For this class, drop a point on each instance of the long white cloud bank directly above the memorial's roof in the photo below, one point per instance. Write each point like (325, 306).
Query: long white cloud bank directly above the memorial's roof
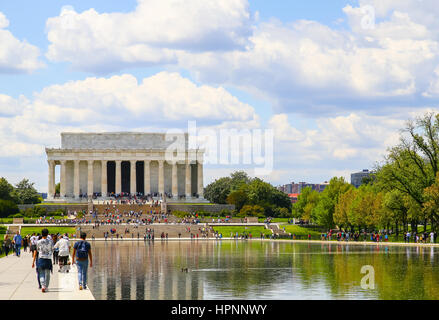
(118, 103)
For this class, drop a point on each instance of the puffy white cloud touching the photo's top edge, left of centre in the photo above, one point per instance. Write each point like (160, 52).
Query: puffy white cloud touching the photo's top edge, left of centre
(151, 34)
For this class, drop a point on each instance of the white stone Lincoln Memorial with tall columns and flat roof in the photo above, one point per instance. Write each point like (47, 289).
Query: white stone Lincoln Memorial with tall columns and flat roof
(103, 164)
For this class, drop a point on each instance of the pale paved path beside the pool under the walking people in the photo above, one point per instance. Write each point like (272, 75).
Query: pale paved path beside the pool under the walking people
(18, 281)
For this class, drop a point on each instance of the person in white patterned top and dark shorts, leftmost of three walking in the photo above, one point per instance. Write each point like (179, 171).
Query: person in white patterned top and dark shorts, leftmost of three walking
(44, 263)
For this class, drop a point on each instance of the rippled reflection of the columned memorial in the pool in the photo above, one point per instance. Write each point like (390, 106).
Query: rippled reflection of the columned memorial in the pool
(145, 271)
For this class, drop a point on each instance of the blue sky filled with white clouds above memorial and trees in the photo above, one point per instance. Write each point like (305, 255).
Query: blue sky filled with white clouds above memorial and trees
(335, 80)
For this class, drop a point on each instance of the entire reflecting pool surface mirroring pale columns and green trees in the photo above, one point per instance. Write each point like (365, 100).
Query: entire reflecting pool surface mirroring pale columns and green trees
(259, 270)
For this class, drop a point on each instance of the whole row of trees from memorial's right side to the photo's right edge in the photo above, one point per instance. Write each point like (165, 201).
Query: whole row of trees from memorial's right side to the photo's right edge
(400, 194)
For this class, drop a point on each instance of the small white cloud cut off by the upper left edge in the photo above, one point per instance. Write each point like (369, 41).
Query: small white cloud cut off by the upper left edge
(16, 56)
